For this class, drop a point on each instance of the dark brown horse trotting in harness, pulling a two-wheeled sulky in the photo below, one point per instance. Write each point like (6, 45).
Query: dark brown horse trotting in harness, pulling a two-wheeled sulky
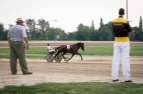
(73, 50)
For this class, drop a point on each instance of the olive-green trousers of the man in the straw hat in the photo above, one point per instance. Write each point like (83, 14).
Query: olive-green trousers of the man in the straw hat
(17, 51)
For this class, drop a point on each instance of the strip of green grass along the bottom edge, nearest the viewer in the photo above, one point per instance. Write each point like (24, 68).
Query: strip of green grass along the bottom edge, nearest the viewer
(75, 88)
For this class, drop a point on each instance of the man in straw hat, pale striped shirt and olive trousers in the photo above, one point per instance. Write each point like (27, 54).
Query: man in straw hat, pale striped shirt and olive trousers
(16, 37)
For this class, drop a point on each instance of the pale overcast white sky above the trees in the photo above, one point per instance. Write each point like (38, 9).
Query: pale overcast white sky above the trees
(69, 13)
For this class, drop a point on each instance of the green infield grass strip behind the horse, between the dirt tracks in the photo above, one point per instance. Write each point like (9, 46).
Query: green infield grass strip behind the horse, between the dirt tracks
(40, 52)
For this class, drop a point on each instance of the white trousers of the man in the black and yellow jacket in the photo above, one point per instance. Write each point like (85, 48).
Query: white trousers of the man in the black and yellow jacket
(121, 52)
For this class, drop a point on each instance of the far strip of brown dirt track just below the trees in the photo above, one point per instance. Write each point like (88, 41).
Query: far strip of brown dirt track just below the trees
(58, 43)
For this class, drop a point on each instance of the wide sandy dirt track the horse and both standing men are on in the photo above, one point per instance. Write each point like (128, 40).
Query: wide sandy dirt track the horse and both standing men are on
(91, 69)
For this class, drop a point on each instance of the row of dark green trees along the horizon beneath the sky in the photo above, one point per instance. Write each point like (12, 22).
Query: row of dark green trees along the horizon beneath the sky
(42, 30)
